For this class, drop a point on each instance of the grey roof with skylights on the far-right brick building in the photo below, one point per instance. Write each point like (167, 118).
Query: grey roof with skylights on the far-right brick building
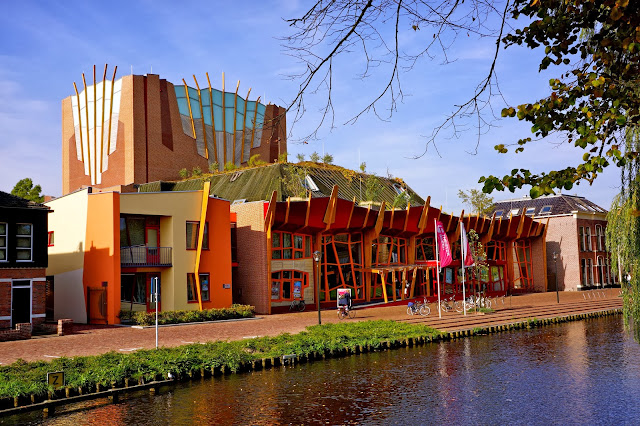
(550, 205)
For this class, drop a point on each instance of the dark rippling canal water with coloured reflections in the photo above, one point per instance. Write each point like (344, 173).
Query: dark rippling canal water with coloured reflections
(584, 372)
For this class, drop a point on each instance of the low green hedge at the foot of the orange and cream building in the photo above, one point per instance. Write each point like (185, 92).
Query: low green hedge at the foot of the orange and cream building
(178, 317)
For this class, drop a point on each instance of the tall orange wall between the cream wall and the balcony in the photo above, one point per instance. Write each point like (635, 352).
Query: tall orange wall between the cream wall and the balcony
(102, 253)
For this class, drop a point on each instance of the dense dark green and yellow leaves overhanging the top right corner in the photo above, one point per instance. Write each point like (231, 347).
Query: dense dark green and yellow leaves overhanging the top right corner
(596, 96)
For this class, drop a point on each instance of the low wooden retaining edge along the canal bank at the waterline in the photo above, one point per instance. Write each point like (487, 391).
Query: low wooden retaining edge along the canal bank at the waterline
(65, 396)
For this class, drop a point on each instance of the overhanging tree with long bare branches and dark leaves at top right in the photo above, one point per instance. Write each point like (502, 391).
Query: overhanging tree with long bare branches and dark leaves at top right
(592, 101)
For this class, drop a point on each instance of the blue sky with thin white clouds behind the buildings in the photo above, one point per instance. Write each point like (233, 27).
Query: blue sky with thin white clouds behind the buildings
(47, 45)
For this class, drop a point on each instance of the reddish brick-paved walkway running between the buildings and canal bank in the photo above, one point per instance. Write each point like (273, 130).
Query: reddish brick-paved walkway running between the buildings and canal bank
(92, 341)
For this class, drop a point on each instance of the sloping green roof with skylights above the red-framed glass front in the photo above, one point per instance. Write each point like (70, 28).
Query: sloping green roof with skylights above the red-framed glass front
(258, 183)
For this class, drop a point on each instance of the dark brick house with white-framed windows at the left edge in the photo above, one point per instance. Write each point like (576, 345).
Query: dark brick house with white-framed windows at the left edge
(23, 259)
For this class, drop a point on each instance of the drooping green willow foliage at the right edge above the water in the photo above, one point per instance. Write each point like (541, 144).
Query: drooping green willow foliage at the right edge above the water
(623, 236)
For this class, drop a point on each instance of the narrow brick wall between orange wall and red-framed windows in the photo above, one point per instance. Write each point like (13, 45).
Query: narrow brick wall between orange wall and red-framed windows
(252, 286)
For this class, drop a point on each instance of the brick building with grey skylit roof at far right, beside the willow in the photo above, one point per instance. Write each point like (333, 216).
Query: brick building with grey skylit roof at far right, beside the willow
(576, 234)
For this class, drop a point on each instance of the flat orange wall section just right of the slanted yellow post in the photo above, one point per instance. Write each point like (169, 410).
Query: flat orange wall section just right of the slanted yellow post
(217, 260)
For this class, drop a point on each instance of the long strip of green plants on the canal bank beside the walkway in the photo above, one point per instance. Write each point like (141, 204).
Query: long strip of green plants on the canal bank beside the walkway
(26, 378)
